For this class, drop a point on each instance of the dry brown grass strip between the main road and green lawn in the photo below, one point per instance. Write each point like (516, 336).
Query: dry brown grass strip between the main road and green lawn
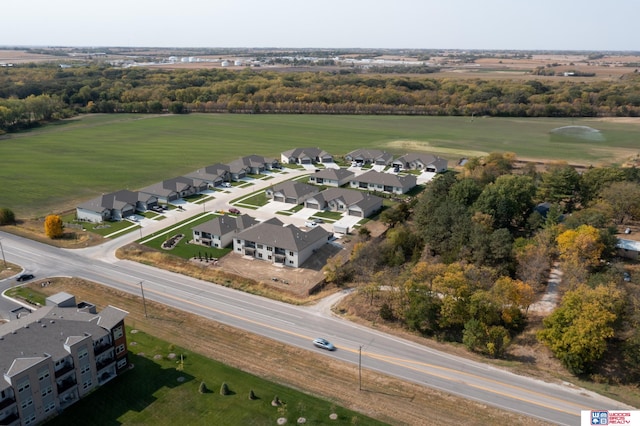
(383, 397)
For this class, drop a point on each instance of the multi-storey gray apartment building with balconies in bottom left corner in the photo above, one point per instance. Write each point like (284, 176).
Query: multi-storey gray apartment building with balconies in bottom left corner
(56, 355)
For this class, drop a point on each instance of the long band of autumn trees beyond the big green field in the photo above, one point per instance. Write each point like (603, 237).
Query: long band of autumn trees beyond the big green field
(33, 93)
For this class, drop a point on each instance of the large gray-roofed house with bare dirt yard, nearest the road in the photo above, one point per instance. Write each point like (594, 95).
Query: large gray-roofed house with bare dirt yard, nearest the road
(282, 245)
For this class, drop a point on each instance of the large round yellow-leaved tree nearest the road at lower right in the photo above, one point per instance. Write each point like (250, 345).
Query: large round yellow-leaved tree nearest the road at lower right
(577, 332)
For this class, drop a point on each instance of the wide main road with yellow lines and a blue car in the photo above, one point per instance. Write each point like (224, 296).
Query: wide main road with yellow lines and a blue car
(560, 404)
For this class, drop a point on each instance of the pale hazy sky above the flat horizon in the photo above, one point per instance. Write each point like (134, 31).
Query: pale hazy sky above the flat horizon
(408, 24)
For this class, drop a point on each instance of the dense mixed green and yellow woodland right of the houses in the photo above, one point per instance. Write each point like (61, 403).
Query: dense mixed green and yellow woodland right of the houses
(465, 260)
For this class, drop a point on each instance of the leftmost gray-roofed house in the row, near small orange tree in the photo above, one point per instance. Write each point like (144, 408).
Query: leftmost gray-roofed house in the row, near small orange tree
(114, 206)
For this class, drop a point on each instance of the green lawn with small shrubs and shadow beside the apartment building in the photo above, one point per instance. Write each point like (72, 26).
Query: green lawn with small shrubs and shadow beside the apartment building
(162, 390)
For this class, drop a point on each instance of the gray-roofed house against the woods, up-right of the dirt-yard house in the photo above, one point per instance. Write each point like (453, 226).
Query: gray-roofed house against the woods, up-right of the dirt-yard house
(354, 203)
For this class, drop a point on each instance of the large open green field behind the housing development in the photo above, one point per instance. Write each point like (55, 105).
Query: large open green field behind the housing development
(52, 169)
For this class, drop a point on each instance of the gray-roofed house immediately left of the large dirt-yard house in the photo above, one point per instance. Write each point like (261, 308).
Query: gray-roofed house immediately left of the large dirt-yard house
(219, 232)
